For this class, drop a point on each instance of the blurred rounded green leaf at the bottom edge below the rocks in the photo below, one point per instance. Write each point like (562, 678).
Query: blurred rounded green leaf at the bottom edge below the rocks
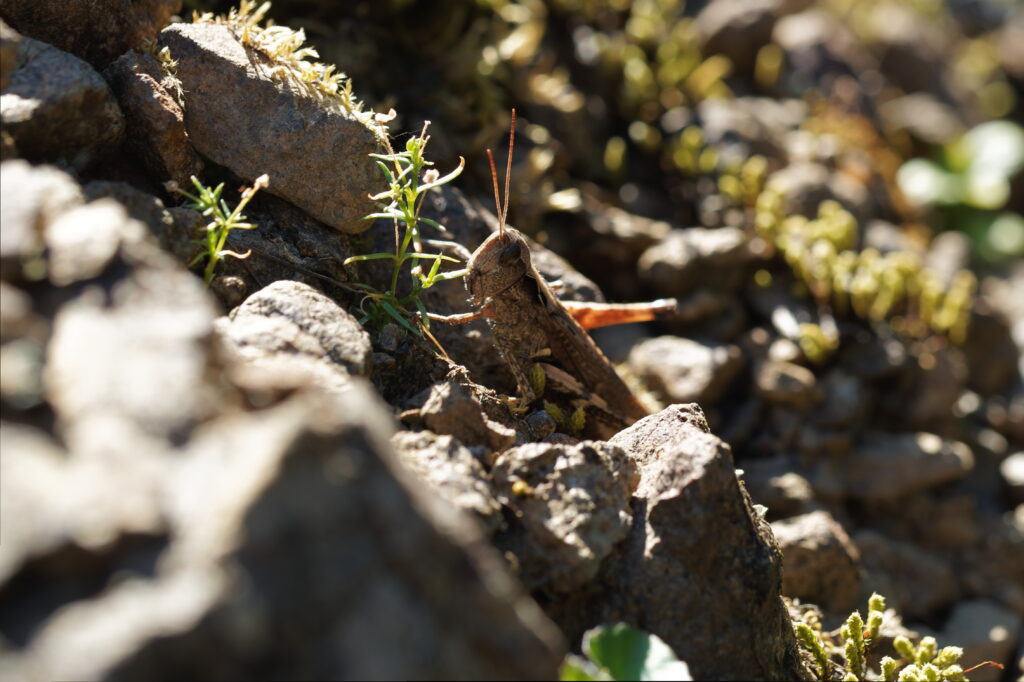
(624, 653)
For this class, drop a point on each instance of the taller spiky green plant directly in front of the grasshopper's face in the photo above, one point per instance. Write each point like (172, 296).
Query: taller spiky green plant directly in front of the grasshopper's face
(409, 177)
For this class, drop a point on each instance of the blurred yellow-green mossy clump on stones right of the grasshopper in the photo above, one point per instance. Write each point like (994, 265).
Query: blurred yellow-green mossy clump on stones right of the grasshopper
(894, 287)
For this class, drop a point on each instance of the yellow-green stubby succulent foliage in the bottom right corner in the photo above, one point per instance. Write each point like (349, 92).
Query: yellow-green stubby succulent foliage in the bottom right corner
(922, 663)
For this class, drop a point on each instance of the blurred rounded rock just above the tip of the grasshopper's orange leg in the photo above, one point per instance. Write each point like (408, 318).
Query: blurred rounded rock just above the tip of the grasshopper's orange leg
(688, 259)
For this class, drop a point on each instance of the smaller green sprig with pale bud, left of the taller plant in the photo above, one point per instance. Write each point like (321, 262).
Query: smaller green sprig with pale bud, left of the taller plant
(209, 203)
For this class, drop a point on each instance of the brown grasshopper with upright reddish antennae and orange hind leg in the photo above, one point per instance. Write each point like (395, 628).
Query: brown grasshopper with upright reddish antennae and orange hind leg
(532, 327)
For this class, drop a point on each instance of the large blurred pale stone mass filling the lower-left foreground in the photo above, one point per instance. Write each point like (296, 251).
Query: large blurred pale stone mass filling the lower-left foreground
(193, 515)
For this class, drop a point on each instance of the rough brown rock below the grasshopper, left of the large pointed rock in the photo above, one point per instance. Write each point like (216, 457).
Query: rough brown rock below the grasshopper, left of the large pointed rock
(572, 507)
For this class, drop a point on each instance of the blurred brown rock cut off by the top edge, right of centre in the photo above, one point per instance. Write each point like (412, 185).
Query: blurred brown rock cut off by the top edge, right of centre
(738, 29)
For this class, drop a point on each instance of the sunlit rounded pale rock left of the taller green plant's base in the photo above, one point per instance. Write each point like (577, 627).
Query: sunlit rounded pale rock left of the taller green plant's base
(297, 330)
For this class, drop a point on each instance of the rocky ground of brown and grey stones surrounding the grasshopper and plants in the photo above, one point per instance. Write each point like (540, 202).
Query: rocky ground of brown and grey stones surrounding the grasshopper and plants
(242, 481)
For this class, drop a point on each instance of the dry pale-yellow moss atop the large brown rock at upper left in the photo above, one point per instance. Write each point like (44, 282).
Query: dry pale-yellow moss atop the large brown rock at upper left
(290, 59)
